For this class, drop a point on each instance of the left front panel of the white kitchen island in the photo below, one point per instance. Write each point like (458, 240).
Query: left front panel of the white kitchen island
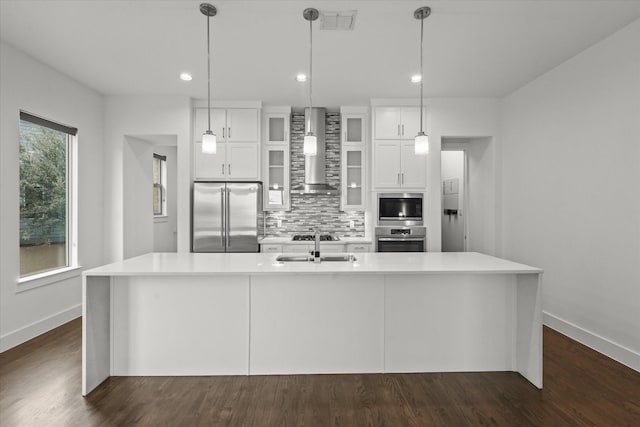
(181, 325)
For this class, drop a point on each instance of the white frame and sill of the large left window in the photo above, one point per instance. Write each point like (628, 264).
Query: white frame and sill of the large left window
(72, 268)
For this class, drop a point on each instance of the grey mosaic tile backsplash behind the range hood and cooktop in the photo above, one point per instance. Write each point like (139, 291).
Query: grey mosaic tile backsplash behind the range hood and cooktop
(309, 211)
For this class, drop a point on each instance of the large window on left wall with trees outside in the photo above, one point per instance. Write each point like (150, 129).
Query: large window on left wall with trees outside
(45, 195)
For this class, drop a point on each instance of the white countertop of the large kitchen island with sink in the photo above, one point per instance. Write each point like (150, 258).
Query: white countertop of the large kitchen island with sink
(166, 264)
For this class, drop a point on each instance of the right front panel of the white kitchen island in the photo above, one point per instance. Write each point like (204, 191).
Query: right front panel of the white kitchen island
(449, 323)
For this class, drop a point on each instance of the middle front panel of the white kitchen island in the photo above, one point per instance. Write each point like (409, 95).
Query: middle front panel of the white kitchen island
(317, 323)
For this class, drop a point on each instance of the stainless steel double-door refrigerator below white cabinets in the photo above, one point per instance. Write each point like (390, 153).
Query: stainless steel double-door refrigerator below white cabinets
(226, 216)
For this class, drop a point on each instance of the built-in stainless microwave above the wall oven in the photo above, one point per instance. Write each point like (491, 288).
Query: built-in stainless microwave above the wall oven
(400, 209)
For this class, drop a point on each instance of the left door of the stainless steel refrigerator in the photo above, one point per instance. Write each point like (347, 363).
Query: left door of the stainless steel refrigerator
(208, 219)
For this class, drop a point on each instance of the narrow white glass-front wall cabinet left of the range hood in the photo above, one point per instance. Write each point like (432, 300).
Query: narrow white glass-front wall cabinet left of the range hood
(276, 158)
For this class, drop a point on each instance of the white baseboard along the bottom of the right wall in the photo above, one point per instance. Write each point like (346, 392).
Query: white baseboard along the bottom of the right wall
(600, 344)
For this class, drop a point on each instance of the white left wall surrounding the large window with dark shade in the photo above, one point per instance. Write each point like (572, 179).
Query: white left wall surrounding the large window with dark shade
(29, 85)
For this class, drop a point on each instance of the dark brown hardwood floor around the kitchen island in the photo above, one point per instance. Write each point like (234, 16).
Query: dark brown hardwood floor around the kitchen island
(40, 386)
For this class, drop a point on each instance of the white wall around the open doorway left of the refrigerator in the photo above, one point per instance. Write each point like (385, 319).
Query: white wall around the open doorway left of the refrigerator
(144, 116)
